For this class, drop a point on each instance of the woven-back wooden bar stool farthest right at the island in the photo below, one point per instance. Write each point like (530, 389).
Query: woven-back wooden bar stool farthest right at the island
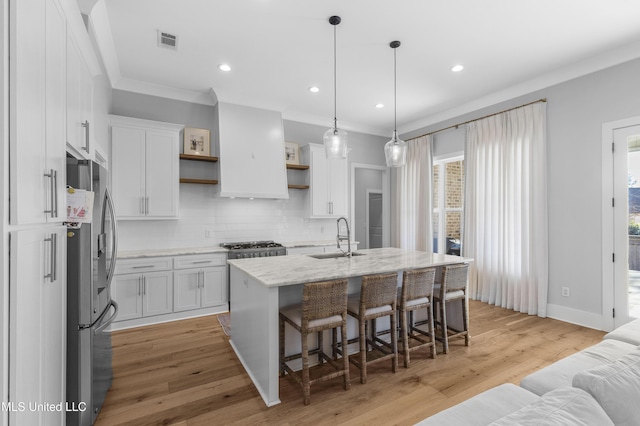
(453, 287)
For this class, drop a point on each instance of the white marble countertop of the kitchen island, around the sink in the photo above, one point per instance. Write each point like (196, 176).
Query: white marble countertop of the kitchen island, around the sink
(300, 268)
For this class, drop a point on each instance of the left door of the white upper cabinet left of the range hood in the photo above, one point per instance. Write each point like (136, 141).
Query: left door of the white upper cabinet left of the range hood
(128, 171)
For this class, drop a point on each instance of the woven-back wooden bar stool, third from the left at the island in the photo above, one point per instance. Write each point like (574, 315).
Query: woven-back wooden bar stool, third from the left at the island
(416, 293)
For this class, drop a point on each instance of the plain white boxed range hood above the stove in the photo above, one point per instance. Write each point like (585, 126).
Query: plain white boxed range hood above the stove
(250, 143)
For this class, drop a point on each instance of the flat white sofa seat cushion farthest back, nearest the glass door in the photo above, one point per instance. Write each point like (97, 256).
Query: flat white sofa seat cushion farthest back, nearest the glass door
(561, 373)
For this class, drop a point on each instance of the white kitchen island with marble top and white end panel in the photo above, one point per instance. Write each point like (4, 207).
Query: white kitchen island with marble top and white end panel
(260, 286)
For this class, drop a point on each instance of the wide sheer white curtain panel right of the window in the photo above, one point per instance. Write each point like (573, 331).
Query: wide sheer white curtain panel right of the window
(506, 226)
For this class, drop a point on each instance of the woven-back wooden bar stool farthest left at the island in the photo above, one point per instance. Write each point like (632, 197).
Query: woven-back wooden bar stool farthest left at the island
(323, 307)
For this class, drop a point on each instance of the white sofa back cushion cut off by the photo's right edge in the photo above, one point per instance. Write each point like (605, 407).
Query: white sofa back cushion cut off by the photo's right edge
(616, 387)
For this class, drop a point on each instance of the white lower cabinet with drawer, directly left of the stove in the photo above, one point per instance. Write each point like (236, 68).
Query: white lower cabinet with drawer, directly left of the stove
(203, 284)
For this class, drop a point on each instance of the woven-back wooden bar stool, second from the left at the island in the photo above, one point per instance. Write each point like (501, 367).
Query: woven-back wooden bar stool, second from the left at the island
(377, 299)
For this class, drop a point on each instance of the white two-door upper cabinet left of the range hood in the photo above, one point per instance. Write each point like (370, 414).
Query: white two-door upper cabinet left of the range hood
(145, 168)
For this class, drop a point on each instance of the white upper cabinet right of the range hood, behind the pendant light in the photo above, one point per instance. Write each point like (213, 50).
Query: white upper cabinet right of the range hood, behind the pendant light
(328, 193)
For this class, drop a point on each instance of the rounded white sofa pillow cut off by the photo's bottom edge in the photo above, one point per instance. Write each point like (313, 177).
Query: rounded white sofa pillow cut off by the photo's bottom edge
(563, 406)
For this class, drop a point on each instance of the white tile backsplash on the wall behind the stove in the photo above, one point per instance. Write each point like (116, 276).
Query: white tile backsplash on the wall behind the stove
(208, 221)
